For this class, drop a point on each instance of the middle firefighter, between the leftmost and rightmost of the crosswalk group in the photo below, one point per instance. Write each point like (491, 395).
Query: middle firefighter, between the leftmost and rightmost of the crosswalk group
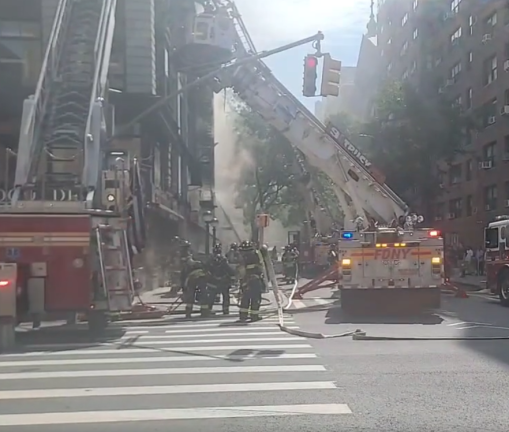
(221, 276)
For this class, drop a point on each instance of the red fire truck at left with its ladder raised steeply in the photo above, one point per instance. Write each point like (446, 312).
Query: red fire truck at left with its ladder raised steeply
(76, 219)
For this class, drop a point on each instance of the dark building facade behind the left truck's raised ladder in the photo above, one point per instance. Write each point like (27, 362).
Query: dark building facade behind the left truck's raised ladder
(175, 143)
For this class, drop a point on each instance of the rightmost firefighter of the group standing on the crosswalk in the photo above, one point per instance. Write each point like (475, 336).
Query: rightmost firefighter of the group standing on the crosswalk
(251, 281)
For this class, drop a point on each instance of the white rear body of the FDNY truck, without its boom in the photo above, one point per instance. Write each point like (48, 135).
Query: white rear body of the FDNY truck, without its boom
(391, 265)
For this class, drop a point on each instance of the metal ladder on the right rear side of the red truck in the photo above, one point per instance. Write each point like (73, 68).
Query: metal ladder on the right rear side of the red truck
(115, 267)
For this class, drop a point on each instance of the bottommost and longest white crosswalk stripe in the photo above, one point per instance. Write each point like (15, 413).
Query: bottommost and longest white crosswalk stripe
(90, 417)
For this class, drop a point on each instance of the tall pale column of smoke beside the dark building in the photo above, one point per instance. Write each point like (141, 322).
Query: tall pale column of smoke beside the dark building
(228, 167)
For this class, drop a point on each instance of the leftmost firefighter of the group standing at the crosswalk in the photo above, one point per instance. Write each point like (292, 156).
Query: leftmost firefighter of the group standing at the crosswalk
(194, 281)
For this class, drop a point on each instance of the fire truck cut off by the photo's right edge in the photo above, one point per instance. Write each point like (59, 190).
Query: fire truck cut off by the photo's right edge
(497, 258)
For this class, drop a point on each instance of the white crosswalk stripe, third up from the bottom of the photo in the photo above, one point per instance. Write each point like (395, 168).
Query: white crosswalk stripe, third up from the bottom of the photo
(160, 371)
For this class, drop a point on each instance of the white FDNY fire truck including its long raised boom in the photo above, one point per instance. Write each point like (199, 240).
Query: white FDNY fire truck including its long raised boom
(400, 262)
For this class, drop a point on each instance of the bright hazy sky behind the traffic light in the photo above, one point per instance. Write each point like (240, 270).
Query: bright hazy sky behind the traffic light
(273, 23)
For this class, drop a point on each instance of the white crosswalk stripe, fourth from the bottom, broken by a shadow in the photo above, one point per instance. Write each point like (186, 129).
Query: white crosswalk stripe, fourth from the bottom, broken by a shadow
(121, 350)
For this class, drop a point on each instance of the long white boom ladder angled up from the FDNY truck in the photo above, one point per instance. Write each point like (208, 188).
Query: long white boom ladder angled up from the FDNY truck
(361, 196)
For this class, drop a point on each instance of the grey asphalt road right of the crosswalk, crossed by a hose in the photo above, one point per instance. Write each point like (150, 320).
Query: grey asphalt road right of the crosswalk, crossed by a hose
(422, 385)
